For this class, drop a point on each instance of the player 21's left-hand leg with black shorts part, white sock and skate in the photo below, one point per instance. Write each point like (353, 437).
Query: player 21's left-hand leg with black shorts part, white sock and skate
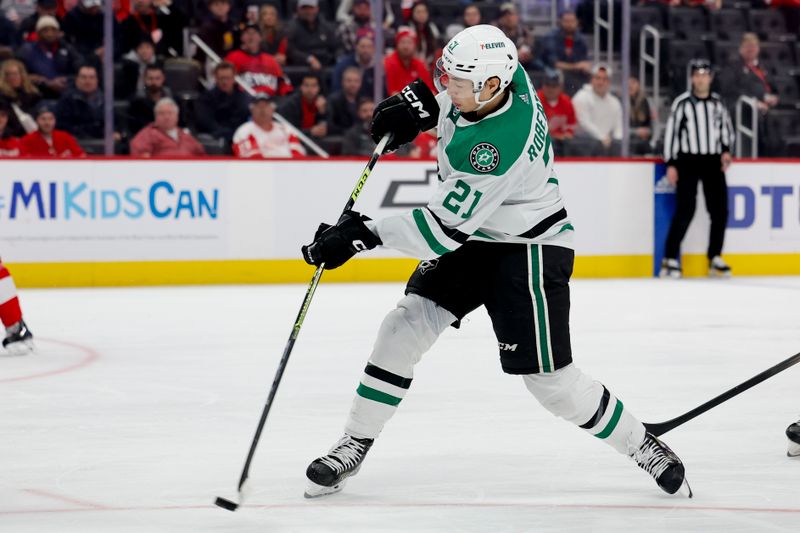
(406, 333)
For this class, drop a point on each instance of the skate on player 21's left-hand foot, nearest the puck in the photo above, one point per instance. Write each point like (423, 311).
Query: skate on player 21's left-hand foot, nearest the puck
(329, 473)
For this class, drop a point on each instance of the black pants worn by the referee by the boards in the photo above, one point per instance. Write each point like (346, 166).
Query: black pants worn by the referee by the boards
(708, 170)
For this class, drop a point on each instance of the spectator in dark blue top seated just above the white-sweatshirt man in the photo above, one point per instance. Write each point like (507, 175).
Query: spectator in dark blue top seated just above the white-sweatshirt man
(566, 49)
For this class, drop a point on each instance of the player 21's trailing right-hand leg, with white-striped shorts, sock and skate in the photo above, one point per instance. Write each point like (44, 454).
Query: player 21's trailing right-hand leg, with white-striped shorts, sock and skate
(534, 341)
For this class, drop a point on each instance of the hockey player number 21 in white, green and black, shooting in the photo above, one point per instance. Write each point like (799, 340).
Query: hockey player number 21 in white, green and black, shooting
(495, 233)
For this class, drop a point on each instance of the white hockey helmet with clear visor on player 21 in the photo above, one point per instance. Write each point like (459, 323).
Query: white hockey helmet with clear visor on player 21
(477, 54)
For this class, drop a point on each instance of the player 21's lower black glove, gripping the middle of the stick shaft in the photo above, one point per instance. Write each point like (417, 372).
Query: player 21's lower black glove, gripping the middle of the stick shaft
(335, 245)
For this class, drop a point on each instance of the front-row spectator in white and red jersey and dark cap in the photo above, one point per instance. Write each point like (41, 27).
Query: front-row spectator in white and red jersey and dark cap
(262, 137)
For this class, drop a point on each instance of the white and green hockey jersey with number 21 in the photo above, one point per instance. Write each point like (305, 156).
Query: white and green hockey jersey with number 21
(496, 182)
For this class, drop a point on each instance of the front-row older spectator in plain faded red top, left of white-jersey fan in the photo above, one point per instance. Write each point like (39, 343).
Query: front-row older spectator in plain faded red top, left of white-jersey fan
(163, 137)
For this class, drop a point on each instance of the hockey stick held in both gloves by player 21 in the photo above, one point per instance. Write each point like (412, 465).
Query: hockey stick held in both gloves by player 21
(298, 323)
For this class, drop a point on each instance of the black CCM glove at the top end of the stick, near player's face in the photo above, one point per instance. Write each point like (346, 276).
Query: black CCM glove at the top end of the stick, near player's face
(404, 115)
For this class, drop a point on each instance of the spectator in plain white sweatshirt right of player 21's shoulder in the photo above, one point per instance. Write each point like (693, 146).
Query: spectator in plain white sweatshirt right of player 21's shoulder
(599, 112)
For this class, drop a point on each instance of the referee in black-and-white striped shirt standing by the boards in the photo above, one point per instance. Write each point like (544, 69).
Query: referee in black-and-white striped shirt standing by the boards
(697, 145)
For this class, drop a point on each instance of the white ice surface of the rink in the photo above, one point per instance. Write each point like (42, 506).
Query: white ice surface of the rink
(139, 407)
